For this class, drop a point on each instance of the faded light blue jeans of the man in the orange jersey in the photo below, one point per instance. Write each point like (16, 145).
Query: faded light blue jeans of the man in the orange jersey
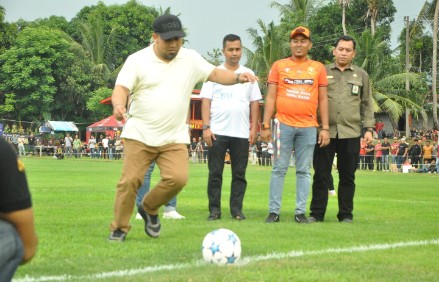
(303, 140)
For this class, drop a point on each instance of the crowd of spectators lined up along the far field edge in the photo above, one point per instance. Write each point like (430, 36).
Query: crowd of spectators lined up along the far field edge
(416, 153)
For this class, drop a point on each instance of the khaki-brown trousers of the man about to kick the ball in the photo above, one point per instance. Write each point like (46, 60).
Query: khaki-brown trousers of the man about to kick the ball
(173, 163)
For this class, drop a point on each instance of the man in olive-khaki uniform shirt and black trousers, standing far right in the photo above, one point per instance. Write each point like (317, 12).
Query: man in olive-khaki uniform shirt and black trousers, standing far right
(350, 113)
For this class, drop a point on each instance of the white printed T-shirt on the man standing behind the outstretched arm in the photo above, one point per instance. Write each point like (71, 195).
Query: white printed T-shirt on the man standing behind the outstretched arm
(230, 105)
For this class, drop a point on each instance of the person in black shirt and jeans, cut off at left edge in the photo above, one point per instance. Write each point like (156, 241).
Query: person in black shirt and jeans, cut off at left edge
(18, 242)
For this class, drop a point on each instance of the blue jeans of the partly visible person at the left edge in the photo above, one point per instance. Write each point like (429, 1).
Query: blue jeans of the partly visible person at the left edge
(11, 251)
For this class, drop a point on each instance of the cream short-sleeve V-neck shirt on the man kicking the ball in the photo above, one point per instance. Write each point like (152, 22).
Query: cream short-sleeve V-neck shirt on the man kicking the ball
(161, 93)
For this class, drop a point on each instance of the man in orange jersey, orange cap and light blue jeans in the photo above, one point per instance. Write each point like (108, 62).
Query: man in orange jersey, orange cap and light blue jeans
(297, 87)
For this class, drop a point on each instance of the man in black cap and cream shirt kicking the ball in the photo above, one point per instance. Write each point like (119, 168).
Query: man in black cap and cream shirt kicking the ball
(155, 131)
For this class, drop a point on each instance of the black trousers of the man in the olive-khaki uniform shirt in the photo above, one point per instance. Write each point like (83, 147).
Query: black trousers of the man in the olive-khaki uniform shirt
(347, 161)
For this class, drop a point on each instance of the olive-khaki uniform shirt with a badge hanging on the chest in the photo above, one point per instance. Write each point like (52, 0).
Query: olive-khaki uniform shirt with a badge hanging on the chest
(350, 102)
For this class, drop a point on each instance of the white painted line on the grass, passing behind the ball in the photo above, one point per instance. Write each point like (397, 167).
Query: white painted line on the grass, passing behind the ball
(246, 260)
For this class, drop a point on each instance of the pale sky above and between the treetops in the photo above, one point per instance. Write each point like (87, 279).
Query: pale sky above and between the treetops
(207, 21)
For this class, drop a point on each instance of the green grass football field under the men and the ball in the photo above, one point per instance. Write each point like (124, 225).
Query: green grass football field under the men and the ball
(394, 237)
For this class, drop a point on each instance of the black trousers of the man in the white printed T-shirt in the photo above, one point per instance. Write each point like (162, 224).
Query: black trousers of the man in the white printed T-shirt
(238, 150)
